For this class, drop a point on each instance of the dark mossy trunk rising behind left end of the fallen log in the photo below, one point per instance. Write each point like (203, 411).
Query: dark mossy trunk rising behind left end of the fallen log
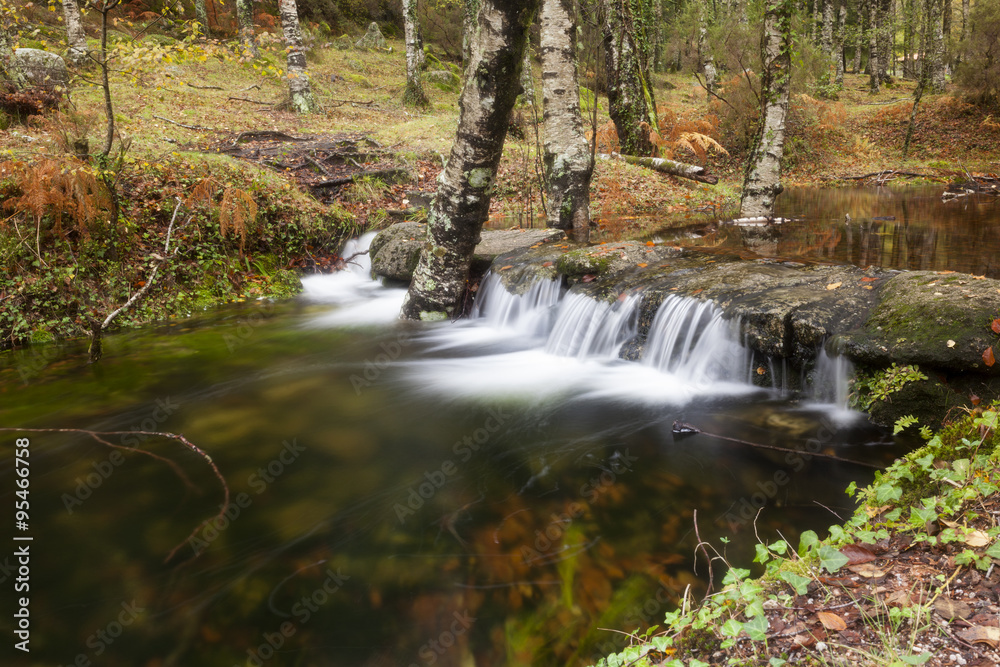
(630, 96)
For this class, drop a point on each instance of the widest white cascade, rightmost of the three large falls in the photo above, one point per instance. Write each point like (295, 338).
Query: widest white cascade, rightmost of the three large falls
(691, 339)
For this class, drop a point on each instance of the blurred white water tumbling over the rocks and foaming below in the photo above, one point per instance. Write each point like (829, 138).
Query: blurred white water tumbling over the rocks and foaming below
(548, 343)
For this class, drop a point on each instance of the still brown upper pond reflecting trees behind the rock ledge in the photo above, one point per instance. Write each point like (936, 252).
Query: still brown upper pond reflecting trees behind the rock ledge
(893, 228)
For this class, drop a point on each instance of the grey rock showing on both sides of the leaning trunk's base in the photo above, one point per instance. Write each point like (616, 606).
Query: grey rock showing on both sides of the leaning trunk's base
(396, 249)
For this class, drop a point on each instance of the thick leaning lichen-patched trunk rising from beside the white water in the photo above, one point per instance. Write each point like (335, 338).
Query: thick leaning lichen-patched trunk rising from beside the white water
(462, 203)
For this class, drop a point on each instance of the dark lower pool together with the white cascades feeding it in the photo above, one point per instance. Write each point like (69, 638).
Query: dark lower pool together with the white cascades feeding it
(487, 492)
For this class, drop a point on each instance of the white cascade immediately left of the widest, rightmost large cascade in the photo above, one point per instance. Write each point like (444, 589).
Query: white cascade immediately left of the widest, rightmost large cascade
(590, 328)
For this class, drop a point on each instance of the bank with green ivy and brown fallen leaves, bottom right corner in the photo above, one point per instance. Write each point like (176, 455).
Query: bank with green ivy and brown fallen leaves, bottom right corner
(910, 579)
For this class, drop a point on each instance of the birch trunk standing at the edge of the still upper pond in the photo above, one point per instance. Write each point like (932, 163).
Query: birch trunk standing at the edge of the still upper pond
(762, 183)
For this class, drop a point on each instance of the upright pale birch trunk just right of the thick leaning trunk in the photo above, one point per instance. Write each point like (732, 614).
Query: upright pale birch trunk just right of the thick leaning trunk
(567, 157)
